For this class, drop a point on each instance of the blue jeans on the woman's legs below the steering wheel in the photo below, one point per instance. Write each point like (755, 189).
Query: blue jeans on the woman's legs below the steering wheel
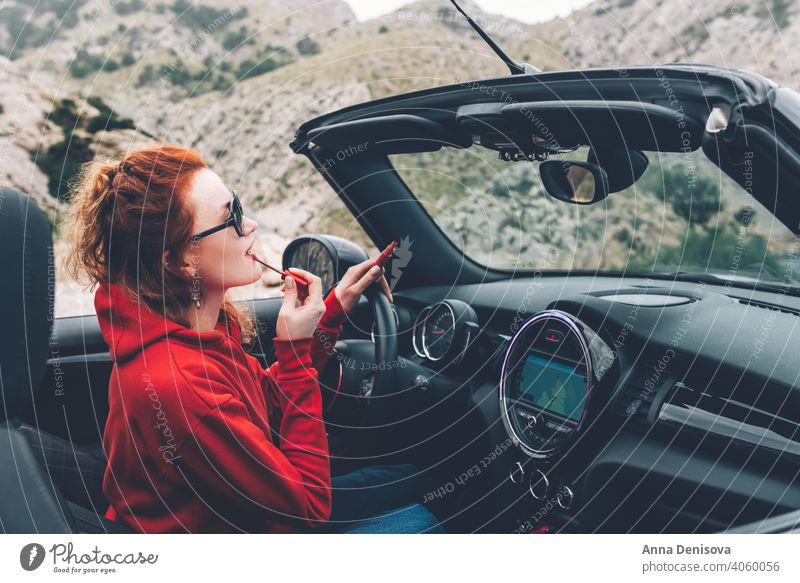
(380, 500)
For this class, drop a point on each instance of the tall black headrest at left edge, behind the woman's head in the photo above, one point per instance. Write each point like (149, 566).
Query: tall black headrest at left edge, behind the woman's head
(27, 296)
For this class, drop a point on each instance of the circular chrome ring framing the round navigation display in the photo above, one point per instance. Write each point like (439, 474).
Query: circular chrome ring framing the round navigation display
(504, 414)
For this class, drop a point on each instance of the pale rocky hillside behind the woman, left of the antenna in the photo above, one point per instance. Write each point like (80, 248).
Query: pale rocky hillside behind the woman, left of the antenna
(234, 79)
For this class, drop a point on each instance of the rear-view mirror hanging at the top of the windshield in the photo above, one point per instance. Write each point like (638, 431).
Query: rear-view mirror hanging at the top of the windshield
(573, 181)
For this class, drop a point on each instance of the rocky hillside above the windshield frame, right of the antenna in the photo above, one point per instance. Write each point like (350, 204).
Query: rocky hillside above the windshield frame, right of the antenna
(759, 35)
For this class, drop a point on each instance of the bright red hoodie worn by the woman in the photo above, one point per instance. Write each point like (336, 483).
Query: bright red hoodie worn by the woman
(188, 433)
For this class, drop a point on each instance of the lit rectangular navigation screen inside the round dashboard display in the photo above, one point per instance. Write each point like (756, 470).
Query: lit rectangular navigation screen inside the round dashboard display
(553, 386)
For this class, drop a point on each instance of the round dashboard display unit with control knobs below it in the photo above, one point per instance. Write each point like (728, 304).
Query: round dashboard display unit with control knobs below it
(552, 365)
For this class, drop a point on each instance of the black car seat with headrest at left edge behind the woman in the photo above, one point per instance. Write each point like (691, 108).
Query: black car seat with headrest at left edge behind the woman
(48, 485)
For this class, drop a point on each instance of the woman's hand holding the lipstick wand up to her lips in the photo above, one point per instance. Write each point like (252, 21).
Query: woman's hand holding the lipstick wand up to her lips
(298, 317)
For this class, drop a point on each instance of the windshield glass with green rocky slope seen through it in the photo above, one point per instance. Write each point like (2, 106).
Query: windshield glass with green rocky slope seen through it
(683, 215)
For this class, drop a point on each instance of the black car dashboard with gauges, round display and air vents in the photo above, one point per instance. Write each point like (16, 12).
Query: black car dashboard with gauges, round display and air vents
(619, 405)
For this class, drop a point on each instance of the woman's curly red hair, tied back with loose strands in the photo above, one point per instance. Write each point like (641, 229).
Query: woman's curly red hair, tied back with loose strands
(125, 214)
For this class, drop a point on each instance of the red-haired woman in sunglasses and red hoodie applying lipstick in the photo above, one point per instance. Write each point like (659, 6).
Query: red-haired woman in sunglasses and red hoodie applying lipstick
(199, 437)
